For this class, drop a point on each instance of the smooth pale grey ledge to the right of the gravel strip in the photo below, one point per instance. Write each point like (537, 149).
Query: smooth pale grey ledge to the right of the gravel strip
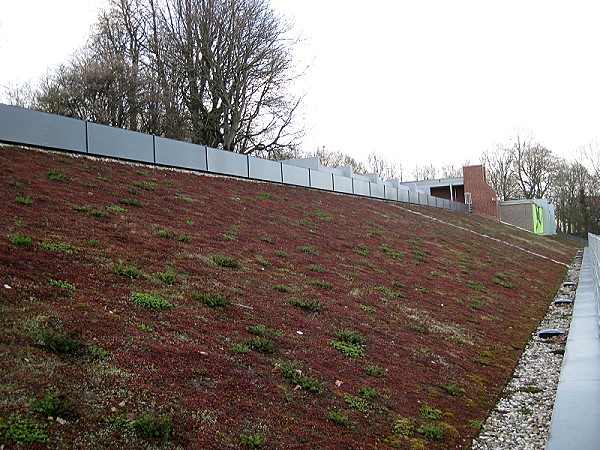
(576, 415)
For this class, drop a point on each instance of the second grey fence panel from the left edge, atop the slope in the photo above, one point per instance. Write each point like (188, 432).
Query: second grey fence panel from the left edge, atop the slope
(118, 143)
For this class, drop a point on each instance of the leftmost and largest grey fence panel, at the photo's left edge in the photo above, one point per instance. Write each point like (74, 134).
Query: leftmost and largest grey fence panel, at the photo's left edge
(24, 126)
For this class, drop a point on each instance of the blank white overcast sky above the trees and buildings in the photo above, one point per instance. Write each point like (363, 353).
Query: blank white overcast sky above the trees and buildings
(427, 81)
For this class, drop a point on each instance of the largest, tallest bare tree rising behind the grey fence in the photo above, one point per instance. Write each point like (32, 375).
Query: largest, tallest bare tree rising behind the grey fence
(231, 63)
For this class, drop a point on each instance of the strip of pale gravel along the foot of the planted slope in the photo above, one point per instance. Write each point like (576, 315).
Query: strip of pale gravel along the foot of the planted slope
(521, 419)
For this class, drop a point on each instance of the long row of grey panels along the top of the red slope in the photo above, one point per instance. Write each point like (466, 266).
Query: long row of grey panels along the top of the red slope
(34, 128)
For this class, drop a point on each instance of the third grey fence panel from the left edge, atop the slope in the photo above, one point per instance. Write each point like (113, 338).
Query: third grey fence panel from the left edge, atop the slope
(179, 154)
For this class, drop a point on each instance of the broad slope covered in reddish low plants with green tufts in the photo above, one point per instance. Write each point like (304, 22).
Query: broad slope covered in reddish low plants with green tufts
(443, 313)
